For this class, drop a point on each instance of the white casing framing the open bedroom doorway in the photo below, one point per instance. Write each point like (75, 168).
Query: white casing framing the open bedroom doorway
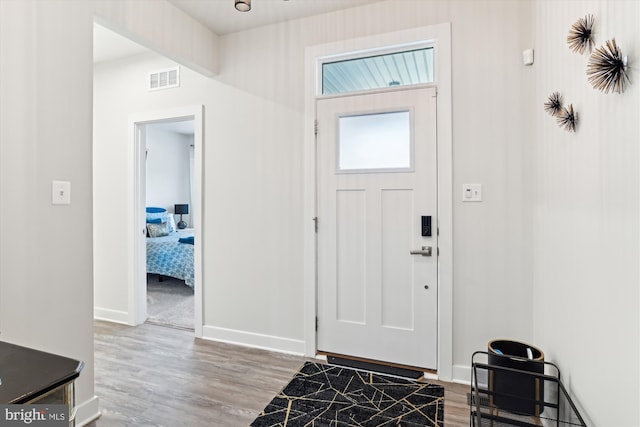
(137, 294)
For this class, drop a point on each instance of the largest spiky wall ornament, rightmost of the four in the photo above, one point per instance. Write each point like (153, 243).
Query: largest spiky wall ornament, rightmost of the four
(606, 68)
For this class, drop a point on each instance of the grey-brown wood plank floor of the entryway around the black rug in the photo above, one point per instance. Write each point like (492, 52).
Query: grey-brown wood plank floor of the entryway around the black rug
(151, 375)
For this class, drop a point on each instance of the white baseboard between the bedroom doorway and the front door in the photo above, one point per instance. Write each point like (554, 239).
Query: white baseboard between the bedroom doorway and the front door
(250, 339)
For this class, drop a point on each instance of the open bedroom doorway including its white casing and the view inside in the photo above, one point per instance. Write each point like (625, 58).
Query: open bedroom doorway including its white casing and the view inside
(166, 286)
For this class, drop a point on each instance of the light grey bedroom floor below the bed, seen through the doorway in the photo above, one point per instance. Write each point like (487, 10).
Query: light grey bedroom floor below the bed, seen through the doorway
(169, 302)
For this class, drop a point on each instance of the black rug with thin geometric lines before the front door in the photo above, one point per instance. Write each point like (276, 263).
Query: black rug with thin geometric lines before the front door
(326, 395)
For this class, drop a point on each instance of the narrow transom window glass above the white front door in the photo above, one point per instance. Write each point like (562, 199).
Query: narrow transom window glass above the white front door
(385, 70)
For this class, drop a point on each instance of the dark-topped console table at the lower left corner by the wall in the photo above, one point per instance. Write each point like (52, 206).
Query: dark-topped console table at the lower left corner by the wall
(33, 376)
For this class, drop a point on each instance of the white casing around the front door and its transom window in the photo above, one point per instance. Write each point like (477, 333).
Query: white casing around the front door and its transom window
(440, 35)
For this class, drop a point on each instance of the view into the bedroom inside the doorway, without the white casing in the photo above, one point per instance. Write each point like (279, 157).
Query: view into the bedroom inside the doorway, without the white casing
(169, 158)
